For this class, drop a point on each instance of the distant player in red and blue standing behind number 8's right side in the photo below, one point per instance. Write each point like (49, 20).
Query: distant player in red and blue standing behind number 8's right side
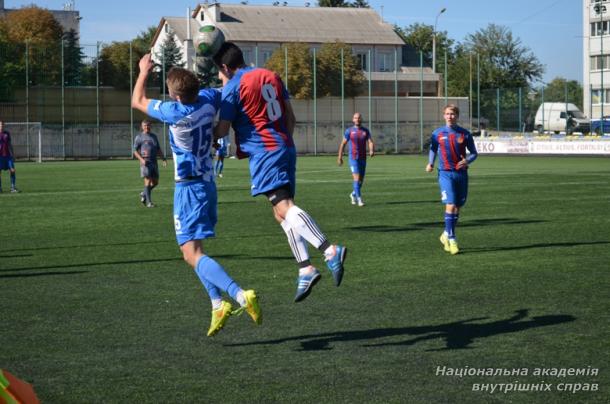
(356, 138)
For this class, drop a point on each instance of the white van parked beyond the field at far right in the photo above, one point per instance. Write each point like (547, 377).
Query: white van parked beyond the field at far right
(557, 116)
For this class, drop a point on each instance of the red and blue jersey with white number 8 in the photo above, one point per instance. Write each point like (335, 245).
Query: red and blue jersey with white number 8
(254, 101)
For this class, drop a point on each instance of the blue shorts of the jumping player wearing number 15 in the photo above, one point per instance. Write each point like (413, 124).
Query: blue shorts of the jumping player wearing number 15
(195, 213)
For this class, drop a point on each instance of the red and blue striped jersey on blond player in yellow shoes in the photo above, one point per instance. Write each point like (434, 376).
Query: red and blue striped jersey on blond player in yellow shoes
(450, 144)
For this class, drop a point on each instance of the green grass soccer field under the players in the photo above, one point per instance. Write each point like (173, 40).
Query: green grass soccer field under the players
(98, 306)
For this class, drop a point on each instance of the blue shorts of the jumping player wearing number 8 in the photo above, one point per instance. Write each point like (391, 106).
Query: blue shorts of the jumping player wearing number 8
(272, 169)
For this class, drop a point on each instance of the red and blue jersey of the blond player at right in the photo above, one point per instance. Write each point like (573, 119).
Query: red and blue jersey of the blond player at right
(450, 144)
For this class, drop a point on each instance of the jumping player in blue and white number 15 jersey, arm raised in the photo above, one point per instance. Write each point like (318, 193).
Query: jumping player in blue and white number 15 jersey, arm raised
(190, 116)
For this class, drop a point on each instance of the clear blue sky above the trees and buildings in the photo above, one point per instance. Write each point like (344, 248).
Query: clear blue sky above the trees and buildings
(551, 29)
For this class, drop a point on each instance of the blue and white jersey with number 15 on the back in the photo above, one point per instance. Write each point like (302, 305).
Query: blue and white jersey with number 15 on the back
(190, 133)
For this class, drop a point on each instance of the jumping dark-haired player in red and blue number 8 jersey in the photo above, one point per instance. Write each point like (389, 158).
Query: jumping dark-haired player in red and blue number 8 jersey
(256, 102)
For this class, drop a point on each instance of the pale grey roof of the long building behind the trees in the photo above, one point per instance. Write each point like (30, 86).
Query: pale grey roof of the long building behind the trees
(247, 23)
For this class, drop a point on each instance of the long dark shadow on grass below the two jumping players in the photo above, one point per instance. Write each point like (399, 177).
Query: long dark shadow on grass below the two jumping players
(456, 335)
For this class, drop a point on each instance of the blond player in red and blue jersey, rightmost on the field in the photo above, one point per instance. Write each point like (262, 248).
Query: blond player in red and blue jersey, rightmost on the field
(450, 144)
